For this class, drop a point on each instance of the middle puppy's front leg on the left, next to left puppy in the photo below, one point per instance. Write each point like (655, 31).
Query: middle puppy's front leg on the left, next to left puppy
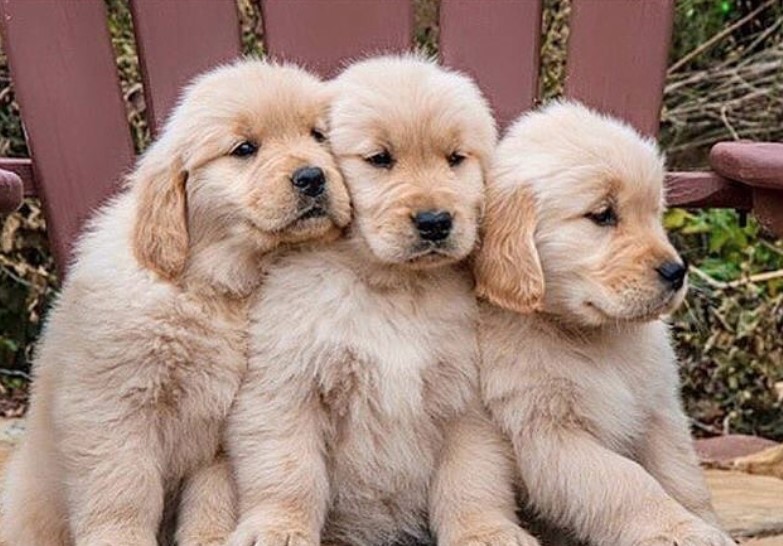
(276, 447)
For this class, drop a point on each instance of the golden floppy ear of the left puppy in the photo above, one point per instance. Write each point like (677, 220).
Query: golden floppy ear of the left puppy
(160, 234)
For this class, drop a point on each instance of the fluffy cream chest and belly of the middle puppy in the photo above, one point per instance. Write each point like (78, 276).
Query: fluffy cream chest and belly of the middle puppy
(387, 384)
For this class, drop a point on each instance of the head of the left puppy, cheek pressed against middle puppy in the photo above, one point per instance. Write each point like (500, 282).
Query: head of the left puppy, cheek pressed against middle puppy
(242, 158)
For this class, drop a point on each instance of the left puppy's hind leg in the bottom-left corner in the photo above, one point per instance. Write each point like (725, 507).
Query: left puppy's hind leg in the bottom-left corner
(34, 511)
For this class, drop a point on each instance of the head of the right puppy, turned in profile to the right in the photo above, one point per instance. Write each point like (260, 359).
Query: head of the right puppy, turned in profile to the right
(574, 221)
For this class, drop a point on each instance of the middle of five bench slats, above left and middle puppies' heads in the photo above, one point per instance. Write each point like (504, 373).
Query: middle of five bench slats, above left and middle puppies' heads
(324, 36)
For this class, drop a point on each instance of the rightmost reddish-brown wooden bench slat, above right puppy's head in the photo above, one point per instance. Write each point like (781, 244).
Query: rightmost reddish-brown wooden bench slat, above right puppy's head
(617, 55)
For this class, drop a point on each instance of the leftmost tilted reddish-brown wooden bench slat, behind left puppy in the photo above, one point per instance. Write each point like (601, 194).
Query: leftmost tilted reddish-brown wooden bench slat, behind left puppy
(65, 79)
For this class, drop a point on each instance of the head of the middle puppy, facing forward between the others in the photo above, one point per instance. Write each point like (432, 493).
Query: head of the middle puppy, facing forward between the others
(413, 141)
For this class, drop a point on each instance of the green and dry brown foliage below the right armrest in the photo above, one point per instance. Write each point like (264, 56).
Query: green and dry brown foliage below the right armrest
(728, 334)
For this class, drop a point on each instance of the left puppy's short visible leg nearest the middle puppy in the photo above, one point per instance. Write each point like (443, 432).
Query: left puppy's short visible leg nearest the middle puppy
(208, 511)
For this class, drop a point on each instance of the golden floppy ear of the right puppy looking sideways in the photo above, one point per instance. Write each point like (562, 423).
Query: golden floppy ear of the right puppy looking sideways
(507, 268)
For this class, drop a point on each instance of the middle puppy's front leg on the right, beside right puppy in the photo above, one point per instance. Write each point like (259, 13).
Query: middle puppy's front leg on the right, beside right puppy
(472, 499)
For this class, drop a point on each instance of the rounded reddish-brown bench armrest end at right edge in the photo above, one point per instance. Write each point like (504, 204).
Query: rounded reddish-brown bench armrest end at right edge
(756, 164)
